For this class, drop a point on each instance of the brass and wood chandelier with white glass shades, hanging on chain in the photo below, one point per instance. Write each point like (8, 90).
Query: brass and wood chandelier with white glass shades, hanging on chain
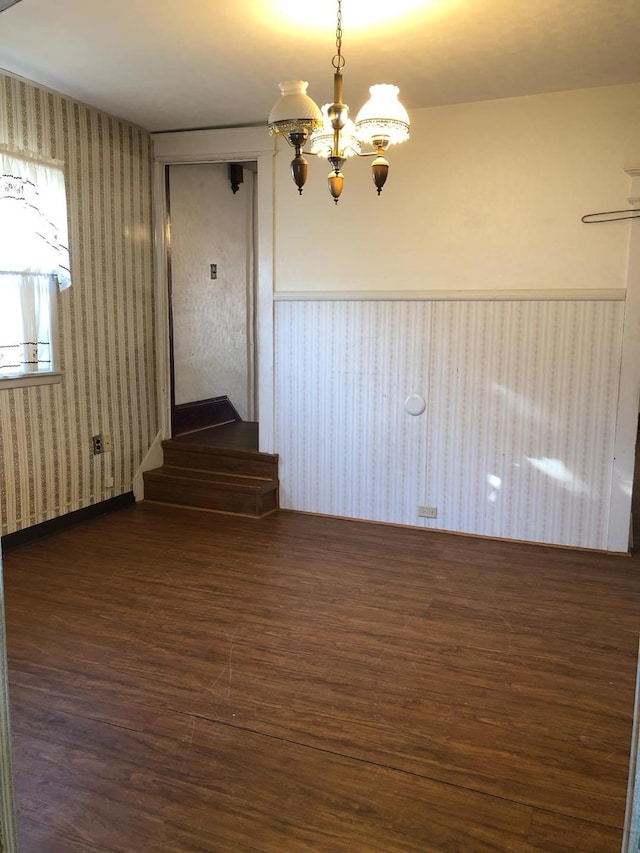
(330, 132)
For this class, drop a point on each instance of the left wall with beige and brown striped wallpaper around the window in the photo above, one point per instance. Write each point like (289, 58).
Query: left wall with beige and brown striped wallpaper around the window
(106, 319)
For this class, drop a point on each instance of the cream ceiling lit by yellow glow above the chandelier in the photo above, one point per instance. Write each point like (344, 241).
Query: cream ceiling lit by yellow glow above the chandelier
(216, 63)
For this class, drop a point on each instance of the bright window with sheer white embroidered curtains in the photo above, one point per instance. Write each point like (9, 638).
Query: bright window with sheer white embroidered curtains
(34, 260)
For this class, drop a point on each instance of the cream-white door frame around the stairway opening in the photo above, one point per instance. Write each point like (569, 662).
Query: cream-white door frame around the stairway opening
(220, 146)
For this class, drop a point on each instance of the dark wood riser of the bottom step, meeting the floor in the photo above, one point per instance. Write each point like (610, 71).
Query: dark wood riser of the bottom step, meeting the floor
(211, 498)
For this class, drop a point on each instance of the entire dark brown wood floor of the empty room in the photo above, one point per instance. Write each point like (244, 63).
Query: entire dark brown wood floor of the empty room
(189, 682)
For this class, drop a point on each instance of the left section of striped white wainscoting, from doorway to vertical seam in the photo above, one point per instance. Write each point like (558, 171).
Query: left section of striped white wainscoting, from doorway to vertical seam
(343, 372)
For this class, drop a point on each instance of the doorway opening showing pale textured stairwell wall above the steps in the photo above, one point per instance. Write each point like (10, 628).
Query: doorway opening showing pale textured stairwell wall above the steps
(211, 213)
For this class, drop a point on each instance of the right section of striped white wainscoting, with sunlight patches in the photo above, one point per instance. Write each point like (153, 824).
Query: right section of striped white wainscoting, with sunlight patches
(523, 401)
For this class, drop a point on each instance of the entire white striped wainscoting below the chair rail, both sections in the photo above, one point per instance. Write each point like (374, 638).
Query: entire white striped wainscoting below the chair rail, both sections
(517, 437)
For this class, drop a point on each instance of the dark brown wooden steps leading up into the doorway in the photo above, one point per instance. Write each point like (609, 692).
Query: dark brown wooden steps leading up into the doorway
(218, 469)
